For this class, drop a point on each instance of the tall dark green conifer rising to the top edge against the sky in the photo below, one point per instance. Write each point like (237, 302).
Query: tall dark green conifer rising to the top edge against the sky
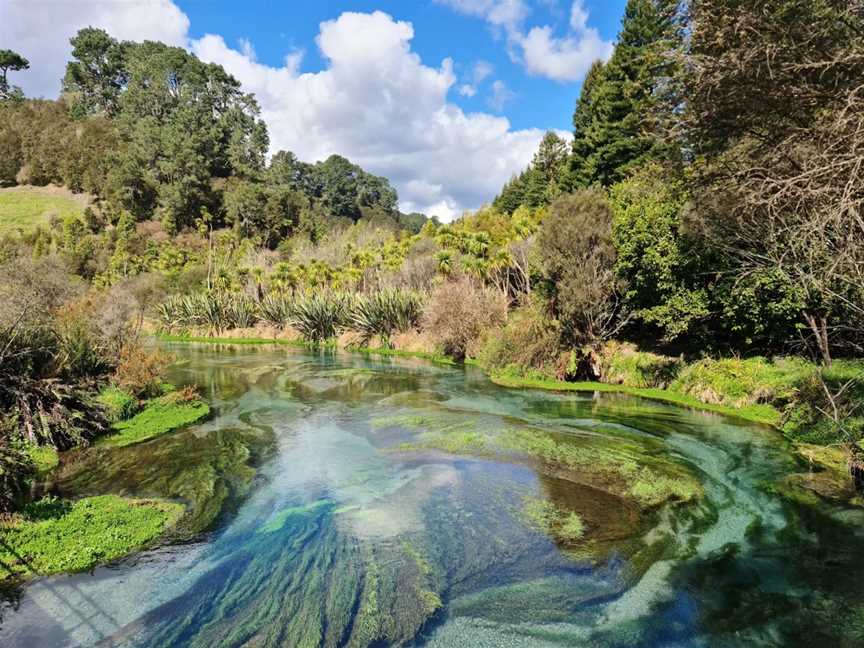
(615, 121)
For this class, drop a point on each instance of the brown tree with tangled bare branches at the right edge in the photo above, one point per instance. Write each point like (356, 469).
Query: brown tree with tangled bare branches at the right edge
(775, 114)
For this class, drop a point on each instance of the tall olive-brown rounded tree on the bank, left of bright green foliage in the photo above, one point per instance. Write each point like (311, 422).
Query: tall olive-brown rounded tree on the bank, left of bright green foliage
(577, 256)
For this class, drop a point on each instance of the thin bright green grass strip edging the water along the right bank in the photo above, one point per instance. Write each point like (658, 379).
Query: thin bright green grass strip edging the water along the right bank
(759, 413)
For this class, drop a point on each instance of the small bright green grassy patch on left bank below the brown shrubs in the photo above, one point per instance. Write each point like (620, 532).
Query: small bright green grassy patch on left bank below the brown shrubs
(159, 416)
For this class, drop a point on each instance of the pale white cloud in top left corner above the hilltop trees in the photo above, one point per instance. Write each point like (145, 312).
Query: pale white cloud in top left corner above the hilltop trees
(40, 31)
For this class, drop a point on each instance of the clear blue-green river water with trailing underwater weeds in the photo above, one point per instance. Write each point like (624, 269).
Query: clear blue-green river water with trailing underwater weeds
(343, 535)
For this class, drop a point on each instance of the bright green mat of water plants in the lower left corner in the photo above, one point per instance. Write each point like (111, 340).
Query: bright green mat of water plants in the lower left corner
(53, 536)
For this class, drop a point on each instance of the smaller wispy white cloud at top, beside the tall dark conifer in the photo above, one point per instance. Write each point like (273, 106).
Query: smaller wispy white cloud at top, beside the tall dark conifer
(542, 53)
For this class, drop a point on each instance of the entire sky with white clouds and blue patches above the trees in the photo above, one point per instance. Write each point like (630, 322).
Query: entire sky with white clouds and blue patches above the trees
(446, 98)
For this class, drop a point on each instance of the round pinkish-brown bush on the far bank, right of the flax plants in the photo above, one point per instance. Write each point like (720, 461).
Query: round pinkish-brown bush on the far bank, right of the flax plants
(457, 314)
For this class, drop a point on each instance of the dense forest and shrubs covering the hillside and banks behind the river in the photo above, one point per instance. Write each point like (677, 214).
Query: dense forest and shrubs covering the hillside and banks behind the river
(702, 231)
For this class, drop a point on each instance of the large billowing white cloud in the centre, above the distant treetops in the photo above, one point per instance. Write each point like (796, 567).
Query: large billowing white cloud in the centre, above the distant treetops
(379, 105)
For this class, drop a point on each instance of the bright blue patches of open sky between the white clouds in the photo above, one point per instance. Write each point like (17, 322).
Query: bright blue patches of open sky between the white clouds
(274, 28)
